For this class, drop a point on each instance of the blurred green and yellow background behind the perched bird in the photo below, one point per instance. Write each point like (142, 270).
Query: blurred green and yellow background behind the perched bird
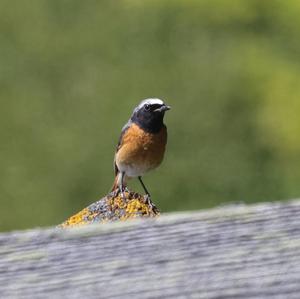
(72, 71)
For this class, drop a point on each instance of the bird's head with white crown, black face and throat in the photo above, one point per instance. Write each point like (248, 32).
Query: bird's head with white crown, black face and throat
(149, 114)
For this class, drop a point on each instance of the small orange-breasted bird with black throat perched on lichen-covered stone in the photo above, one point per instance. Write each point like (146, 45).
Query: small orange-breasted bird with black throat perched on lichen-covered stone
(141, 145)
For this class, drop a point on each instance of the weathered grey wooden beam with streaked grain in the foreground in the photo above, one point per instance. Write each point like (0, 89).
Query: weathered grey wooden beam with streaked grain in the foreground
(228, 252)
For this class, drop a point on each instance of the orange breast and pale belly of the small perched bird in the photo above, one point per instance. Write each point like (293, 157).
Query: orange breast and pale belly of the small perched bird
(140, 150)
